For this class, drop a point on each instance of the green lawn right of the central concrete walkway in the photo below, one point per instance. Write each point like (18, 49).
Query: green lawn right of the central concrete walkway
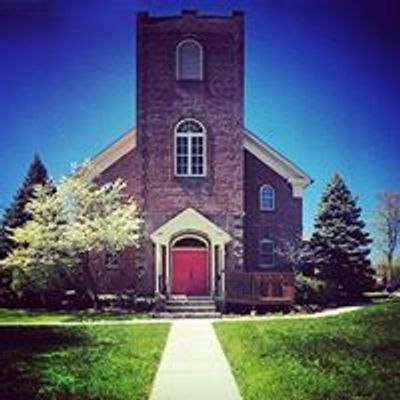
(352, 356)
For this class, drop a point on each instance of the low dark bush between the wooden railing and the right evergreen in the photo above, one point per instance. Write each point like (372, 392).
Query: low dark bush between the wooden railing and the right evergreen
(310, 290)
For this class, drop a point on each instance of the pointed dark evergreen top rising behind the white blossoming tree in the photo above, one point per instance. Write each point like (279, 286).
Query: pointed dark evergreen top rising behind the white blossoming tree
(16, 215)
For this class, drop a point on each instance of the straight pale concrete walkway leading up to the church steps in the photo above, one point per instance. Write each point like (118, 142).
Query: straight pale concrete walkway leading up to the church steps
(194, 366)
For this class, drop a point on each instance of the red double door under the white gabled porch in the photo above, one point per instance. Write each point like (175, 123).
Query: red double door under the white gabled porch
(190, 271)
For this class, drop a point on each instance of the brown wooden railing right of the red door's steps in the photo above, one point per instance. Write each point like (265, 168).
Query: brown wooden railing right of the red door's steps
(260, 287)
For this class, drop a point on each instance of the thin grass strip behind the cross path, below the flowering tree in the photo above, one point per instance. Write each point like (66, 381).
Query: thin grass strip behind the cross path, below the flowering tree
(18, 316)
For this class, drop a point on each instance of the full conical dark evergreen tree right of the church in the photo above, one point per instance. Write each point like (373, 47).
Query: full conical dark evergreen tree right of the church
(339, 246)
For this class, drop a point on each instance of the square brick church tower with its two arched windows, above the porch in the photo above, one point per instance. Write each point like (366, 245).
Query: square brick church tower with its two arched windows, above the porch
(190, 115)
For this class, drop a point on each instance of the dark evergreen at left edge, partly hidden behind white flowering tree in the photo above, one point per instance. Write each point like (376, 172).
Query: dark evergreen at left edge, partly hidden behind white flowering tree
(16, 216)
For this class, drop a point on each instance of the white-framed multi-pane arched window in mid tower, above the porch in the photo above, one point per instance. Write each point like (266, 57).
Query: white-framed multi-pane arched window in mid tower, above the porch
(190, 148)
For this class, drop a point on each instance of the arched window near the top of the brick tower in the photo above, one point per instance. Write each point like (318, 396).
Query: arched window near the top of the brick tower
(189, 61)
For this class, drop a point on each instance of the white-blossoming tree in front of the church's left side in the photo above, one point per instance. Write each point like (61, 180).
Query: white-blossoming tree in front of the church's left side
(67, 225)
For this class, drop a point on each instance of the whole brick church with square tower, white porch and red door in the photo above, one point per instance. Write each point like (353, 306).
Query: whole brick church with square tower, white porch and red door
(218, 203)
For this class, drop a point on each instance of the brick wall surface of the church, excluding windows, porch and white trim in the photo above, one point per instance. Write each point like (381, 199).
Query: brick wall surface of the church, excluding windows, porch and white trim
(229, 194)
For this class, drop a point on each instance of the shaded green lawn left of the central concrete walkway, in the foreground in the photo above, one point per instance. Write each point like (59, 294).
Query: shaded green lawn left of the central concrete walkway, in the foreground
(85, 363)
